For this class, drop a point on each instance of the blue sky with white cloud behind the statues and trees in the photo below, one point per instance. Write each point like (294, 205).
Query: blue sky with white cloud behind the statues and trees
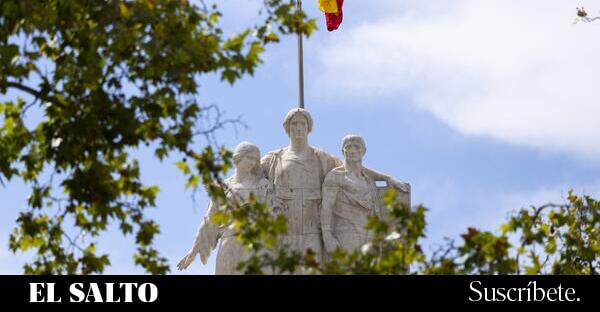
(484, 107)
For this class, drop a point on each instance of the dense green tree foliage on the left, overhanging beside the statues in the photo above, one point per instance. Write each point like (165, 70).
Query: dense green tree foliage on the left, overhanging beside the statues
(110, 76)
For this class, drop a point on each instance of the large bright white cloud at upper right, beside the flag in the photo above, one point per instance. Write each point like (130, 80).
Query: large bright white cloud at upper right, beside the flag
(518, 71)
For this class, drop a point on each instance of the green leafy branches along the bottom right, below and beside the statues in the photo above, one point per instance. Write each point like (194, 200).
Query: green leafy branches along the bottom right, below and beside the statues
(551, 239)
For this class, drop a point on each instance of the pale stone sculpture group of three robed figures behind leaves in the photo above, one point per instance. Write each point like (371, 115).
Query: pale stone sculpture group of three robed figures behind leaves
(326, 200)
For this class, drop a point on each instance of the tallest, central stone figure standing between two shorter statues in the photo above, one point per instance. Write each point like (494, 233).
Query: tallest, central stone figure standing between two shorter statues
(297, 173)
